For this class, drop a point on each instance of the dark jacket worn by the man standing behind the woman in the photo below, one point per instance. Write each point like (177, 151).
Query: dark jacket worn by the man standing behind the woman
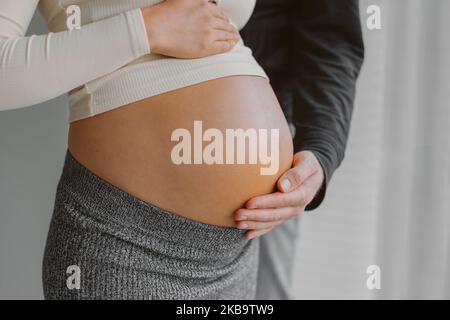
(312, 51)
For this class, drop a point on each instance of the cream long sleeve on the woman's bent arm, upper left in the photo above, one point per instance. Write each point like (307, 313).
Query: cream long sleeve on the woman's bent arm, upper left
(38, 68)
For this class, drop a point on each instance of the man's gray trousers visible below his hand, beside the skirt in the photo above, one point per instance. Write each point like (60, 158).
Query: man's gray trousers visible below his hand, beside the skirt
(276, 262)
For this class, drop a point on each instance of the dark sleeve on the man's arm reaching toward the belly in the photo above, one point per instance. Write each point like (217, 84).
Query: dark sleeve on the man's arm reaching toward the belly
(327, 54)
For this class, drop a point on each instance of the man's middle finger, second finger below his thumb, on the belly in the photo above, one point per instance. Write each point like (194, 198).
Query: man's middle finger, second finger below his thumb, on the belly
(266, 215)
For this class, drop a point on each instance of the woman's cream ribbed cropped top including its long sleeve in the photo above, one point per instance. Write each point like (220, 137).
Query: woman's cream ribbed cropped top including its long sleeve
(107, 62)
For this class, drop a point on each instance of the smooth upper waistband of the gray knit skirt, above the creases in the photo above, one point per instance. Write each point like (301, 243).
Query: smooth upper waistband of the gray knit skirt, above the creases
(100, 198)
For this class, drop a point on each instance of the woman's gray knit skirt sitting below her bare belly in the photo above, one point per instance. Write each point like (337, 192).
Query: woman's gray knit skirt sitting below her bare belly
(104, 243)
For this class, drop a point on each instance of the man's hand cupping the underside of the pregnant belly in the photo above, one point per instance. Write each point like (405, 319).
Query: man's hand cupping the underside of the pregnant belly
(297, 188)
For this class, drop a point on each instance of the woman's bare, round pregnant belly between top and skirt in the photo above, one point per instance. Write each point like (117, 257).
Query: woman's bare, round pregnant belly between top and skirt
(183, 151)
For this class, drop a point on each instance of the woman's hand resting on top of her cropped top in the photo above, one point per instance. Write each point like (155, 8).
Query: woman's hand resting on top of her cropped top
(189, 29)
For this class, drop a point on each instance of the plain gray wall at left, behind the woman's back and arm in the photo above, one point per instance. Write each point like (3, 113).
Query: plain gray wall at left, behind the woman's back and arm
(32, 146)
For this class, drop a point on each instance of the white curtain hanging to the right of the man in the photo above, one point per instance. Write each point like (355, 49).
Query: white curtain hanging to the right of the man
(389, 203)
